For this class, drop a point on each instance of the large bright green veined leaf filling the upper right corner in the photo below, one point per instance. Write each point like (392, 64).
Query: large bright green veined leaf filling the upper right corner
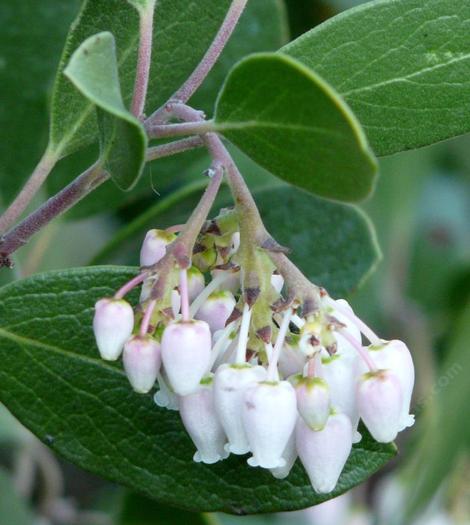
(403, 66)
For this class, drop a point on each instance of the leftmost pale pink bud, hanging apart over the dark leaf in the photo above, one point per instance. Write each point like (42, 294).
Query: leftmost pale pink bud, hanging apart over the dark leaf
(113, 324)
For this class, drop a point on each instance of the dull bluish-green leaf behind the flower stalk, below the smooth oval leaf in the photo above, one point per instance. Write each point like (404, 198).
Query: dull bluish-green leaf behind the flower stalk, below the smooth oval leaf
(333, 244)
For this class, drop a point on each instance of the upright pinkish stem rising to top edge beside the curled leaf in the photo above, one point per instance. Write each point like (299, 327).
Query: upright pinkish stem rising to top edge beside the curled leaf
(144, 59)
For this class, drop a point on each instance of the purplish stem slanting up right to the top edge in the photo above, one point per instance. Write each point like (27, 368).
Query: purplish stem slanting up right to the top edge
(184, 93)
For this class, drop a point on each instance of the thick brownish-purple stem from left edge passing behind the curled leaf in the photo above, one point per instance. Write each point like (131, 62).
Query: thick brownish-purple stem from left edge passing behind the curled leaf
(84, 184)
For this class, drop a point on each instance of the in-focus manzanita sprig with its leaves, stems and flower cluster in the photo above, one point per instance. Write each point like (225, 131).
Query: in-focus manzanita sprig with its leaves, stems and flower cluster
(247, 382)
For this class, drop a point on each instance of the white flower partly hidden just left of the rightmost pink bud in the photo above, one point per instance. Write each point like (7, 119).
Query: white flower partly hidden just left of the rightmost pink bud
(341, 371)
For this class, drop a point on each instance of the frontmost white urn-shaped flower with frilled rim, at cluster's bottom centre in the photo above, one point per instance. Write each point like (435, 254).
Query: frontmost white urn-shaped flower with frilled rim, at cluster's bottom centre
(269, 415)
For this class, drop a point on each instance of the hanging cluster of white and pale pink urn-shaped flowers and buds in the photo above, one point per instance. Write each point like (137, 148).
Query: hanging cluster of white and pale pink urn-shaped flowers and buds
(249, 370)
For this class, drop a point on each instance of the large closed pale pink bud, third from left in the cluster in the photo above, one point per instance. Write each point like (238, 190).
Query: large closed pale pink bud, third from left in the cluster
(186, 354)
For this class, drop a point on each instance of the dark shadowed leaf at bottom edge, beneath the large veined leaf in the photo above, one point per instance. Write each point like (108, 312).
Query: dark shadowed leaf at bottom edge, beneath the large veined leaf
(137, 510)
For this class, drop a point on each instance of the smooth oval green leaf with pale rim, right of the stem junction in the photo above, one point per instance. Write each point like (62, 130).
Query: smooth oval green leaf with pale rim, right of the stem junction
(303, 133)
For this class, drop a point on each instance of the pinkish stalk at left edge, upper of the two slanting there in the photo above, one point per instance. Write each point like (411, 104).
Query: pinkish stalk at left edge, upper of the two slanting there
(28, 191)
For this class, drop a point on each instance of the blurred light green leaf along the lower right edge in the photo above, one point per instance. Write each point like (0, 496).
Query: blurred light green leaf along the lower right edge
(446, 435)
